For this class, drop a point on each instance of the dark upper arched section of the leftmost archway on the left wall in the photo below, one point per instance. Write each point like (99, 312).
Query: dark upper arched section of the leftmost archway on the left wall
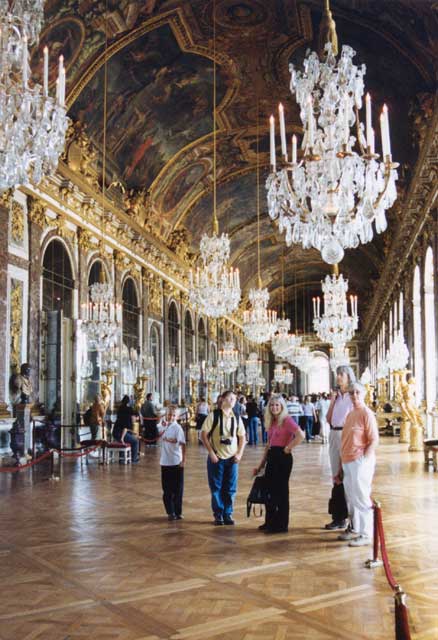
(58, 280)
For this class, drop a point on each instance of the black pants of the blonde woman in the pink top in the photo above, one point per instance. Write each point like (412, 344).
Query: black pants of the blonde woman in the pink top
(277, 474)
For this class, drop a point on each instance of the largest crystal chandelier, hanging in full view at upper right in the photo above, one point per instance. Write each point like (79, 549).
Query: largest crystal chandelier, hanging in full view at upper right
(329, 197)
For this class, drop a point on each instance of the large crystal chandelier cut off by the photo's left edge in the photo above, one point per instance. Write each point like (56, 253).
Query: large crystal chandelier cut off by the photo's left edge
(33, 124)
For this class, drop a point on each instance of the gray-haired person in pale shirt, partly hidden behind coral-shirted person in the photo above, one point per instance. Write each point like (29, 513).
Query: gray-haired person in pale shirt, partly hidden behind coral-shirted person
(340, 407)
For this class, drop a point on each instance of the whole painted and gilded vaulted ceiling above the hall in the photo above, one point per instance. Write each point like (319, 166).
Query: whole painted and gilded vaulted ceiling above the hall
(160, 98)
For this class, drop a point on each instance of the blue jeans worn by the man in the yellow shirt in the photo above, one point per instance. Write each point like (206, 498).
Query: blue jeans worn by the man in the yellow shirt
(222, 480)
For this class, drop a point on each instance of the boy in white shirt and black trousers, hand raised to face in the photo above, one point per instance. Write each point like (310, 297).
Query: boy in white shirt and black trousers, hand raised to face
(172, 460)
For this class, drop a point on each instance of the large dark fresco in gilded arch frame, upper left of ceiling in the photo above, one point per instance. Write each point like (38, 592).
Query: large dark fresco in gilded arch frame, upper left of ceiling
(160, 99)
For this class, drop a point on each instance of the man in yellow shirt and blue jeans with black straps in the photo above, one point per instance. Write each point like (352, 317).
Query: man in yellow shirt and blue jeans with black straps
(223, 435)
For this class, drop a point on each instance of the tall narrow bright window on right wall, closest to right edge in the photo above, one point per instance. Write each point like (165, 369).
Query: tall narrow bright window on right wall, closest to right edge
(429, 316)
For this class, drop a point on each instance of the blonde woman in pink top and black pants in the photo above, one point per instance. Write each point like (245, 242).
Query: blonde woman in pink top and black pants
(283, 435)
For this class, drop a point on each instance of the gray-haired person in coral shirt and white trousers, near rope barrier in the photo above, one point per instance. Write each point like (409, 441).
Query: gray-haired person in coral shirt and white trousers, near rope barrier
(360, 438)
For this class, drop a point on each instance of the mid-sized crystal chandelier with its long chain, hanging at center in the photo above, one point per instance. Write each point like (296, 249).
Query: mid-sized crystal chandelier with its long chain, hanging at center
(215, 288)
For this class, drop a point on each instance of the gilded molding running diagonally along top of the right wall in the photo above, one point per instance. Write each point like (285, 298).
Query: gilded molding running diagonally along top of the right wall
(415, 211)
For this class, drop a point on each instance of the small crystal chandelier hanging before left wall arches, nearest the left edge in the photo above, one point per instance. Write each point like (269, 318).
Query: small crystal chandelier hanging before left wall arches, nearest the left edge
(102, 318)
